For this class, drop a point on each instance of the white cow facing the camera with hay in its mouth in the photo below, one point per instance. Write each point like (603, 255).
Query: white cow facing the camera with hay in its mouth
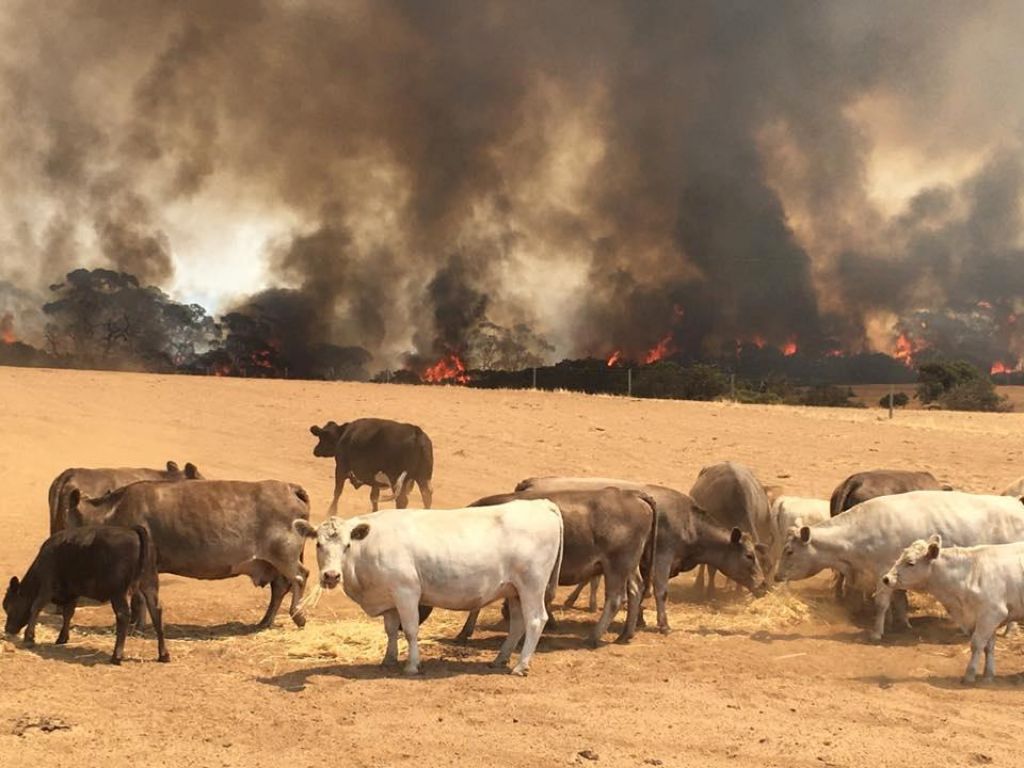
(461, 560)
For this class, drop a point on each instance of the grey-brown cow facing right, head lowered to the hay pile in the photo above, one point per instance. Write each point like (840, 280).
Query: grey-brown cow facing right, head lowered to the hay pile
(687, 538)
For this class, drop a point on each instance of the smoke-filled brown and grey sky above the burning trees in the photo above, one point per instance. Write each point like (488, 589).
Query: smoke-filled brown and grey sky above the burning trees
(607, 173)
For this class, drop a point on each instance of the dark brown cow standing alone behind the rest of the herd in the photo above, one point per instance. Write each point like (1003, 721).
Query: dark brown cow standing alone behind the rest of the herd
(378, 453)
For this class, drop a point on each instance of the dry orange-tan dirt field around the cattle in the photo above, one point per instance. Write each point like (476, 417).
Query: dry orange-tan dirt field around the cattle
(785, 681)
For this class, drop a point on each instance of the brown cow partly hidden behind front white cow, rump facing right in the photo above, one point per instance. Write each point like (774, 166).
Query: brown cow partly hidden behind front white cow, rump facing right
(608, 532)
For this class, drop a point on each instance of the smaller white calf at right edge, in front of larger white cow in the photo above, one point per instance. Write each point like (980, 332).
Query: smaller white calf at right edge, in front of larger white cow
(982, 587)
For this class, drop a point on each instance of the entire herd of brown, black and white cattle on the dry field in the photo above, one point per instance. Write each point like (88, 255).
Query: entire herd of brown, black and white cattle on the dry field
(883, 533)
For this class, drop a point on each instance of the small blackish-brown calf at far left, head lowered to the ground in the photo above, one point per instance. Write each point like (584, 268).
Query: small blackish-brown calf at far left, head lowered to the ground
(102, 563)
